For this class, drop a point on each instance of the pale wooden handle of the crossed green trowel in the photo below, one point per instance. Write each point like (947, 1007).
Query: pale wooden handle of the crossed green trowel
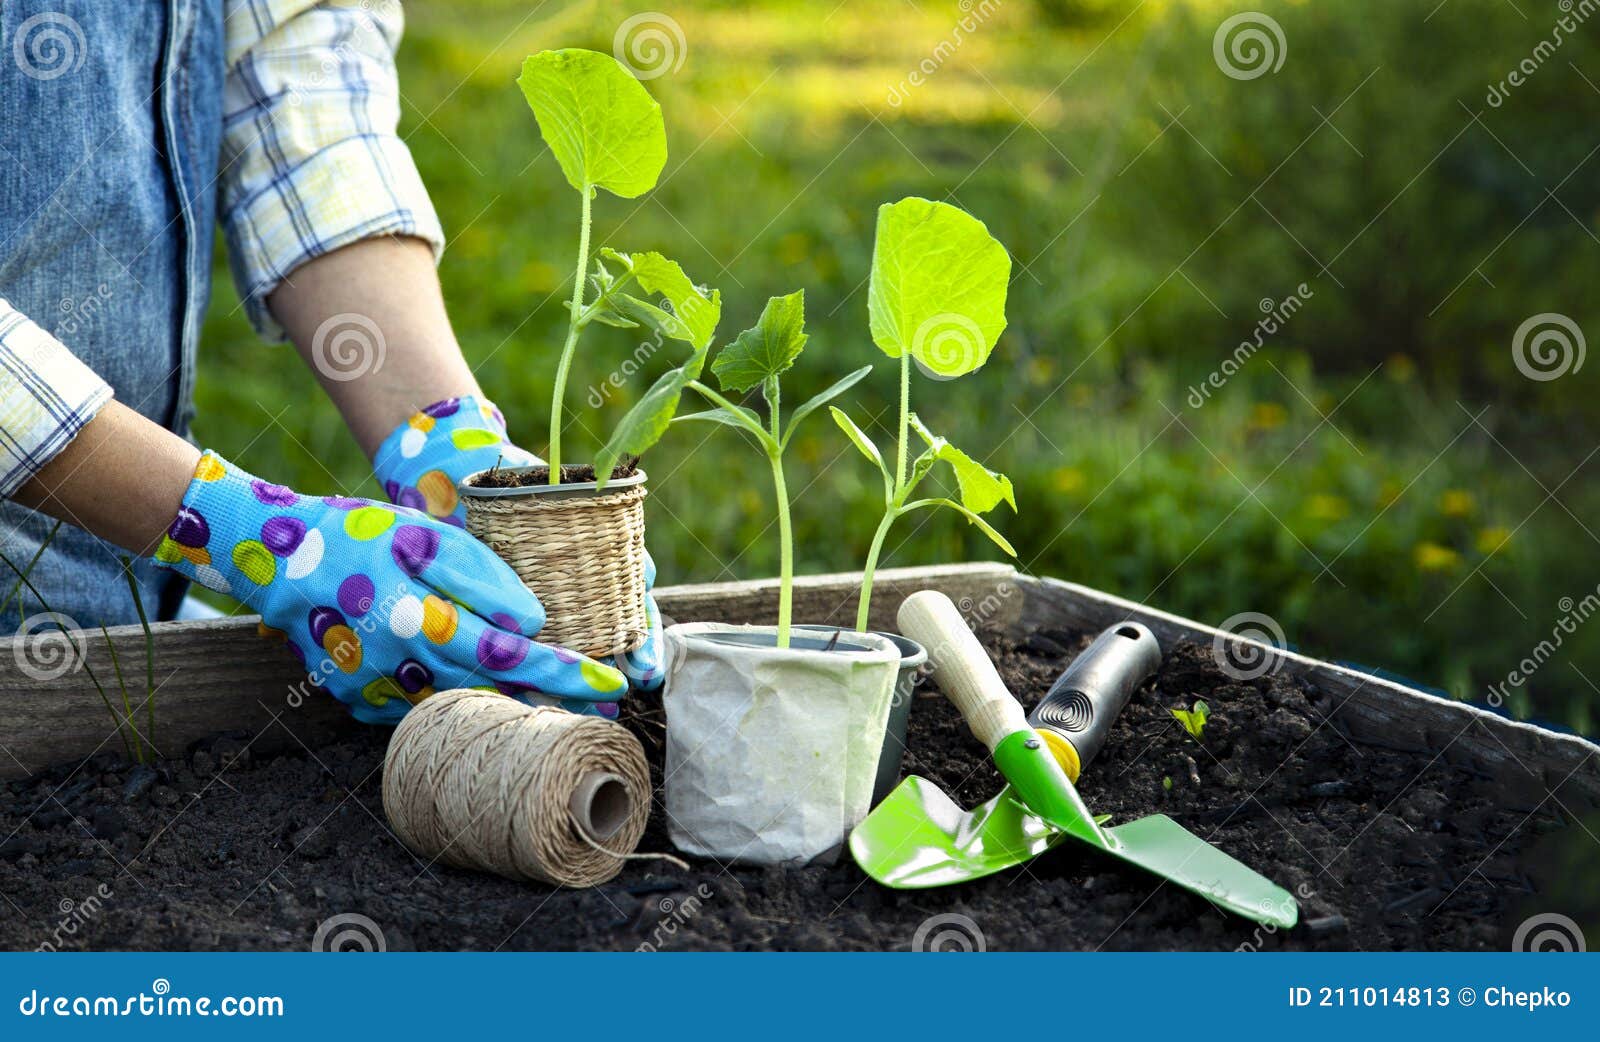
(962, 667)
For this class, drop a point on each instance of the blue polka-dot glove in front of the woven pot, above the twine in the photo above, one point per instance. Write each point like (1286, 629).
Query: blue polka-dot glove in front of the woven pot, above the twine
(385, 606)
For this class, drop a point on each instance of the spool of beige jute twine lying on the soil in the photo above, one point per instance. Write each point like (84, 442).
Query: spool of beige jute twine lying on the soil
(484, 782)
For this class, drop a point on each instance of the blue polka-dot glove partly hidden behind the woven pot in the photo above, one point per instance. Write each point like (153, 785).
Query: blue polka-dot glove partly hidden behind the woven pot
(423, 462)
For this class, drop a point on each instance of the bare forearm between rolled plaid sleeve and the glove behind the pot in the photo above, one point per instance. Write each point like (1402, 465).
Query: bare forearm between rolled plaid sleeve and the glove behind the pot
(370, 321)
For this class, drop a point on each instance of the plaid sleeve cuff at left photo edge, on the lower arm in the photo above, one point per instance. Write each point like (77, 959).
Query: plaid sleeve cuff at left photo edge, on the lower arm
(47, 396)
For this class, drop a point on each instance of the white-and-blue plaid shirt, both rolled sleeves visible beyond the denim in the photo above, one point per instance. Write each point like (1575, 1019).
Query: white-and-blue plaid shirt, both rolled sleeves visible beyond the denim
(311, 162)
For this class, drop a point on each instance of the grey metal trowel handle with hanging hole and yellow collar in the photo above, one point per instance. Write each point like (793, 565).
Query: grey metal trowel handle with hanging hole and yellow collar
(1084, 702)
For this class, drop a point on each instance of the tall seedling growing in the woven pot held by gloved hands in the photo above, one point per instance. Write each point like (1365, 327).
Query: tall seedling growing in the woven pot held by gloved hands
(607, 132)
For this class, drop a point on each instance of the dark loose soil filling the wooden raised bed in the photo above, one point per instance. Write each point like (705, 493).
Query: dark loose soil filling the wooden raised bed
(238, 849)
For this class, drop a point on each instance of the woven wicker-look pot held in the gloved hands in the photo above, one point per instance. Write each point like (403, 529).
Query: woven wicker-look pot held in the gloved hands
(578, 550)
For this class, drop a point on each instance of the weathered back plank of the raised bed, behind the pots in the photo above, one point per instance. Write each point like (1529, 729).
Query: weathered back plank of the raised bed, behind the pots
(222, 676)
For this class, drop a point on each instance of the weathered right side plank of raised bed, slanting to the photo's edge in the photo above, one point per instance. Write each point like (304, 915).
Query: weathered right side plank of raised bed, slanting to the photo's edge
(1367, 708)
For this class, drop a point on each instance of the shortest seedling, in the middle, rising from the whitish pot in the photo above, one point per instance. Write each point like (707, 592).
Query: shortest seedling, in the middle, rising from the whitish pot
(758, 359)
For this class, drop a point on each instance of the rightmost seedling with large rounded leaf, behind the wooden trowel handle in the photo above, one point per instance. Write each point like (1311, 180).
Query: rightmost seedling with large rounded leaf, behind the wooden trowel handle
(937, 299)
